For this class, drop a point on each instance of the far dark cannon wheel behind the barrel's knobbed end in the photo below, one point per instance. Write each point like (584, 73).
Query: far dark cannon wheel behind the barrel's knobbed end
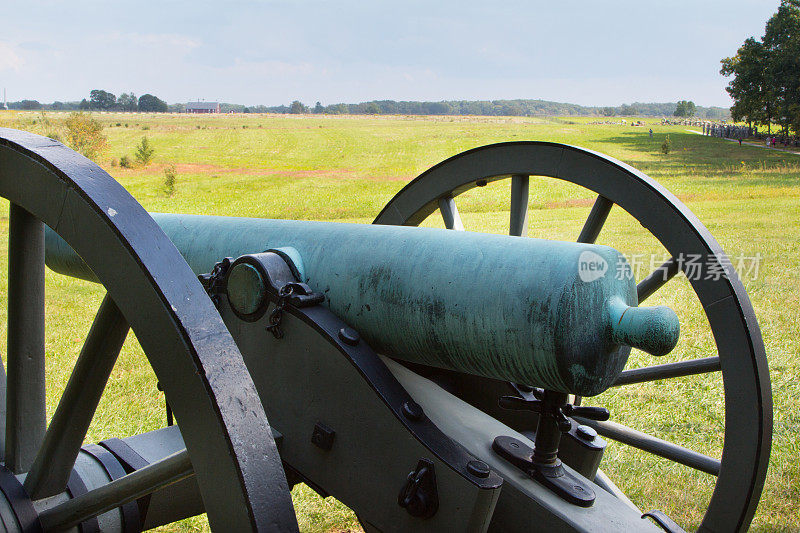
(740, 357)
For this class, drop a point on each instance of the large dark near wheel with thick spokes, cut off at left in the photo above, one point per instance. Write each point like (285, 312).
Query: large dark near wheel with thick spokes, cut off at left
(151, 288)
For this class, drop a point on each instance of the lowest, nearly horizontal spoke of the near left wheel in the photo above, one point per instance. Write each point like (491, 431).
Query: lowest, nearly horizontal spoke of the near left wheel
(147, 480)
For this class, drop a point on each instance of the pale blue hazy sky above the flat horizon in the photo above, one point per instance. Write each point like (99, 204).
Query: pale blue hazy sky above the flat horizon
(273, 52)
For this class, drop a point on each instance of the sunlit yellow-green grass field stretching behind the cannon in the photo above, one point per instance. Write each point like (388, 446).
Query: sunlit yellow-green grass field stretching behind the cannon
(347, 168)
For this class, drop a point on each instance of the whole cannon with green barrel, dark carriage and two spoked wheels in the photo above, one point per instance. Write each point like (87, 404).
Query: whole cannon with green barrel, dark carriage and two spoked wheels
(430, 379)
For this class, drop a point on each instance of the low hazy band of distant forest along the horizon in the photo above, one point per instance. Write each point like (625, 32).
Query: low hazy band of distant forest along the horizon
(512, 108)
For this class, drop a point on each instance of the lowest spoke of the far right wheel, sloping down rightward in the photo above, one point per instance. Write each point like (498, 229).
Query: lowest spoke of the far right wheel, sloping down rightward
(654, 445)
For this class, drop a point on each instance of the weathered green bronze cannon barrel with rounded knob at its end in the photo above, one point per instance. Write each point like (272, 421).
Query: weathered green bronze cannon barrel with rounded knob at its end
(556, 315)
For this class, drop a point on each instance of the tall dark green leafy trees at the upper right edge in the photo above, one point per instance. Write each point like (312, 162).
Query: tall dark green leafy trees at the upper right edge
(766, 73)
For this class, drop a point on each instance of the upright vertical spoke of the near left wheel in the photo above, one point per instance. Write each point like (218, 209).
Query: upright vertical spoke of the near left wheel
(25, 392)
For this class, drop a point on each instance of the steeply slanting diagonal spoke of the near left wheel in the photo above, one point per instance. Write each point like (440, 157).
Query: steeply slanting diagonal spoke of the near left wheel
(62, 442)
